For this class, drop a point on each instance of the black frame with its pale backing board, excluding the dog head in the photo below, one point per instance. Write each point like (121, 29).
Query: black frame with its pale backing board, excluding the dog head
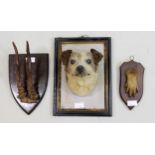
(97, 103)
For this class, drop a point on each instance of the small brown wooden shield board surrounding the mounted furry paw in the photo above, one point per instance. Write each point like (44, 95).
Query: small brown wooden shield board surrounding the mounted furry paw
(139, 70)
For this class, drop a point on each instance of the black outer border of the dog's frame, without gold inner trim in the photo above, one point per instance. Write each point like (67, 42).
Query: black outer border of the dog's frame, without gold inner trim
(82, 112)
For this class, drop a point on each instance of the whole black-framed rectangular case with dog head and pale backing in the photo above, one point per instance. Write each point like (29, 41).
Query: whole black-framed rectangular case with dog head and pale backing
(82, 77)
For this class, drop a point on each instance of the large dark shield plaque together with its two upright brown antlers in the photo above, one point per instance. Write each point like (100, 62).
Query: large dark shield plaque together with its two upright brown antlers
(28, 75)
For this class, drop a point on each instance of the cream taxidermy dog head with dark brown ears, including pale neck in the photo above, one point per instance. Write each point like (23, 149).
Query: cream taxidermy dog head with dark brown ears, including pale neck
(81, 70)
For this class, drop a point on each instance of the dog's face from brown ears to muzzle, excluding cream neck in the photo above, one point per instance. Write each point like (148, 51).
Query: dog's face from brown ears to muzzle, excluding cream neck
(81, 62)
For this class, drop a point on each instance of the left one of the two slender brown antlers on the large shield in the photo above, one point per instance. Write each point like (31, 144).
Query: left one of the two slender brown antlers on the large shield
(21, 90)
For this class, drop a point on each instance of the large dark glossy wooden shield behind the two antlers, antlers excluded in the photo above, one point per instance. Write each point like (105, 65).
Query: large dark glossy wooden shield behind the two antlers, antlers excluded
(39, 77)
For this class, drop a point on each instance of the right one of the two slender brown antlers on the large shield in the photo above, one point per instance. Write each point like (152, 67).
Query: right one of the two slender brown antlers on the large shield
(32, 94)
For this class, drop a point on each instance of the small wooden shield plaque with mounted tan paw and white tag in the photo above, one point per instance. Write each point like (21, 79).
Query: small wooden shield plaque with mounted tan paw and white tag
(131, 83)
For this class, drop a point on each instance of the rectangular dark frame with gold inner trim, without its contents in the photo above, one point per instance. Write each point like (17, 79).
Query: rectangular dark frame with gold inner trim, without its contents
(57, 111)
